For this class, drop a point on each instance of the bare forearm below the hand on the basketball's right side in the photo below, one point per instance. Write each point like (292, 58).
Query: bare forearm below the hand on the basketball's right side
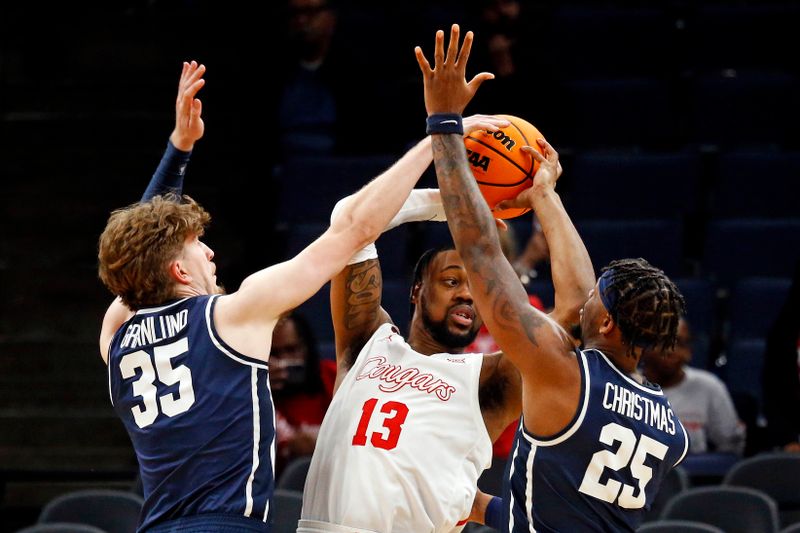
(571, 267)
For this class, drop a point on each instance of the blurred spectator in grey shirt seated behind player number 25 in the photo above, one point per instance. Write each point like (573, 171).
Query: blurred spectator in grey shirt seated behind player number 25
(699, 398)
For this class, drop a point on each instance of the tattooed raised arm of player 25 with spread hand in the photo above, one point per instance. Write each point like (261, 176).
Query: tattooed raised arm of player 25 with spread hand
(536, 344)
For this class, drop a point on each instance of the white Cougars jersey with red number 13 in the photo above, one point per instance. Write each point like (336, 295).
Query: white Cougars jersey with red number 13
(402, 444)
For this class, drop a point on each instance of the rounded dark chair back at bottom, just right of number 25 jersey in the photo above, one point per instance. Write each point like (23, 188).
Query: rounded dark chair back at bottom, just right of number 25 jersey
(732, 509)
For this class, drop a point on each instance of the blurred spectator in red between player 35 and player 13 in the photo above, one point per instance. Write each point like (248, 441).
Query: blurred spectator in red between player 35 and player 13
(301, 387)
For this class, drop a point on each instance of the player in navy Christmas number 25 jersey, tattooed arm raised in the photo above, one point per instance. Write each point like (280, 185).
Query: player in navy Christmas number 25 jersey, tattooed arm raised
(594, 442)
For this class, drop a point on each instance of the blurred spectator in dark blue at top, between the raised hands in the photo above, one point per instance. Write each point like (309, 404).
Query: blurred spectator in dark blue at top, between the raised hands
(307, 109)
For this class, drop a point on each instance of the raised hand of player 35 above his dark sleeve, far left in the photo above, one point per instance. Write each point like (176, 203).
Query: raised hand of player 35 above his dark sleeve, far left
(189, 125)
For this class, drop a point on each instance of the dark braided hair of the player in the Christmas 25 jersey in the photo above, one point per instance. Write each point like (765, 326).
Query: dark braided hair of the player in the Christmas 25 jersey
(648, 305)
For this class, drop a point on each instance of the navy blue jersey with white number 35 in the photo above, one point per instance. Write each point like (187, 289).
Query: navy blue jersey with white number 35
(200, 415)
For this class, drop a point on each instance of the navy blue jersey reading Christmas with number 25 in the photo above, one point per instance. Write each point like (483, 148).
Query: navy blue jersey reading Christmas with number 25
(603, 470)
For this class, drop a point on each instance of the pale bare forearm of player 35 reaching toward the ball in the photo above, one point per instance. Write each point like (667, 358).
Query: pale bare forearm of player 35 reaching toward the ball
(376, 204)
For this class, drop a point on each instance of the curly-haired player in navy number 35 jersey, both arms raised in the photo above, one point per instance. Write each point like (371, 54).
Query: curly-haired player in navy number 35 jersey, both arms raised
(188, 366)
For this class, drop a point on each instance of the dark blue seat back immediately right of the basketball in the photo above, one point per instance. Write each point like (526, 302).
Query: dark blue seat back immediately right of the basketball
(632, 185)
